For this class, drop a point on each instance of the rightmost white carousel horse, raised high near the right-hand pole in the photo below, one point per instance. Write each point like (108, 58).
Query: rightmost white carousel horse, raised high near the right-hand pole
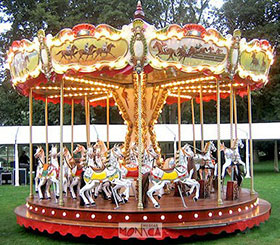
(232, 156)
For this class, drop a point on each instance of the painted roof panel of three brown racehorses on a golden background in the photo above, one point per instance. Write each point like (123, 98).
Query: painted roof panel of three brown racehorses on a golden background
(88, 51)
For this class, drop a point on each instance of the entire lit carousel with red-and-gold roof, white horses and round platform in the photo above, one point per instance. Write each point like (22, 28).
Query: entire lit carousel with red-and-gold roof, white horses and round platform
(130, 190)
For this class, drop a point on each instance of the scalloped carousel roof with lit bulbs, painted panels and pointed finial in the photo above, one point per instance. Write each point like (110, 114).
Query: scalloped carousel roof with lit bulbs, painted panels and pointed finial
(94, 61)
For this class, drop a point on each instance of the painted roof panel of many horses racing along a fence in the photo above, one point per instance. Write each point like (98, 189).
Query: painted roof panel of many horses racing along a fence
(188, 51)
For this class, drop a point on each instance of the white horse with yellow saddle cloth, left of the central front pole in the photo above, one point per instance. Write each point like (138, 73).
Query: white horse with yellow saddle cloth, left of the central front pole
(111, 172)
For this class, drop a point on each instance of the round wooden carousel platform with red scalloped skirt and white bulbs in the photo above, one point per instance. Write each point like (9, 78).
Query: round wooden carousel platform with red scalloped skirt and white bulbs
(171, 220)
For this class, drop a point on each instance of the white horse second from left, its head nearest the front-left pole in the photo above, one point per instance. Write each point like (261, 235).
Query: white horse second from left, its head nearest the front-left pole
(50, 174)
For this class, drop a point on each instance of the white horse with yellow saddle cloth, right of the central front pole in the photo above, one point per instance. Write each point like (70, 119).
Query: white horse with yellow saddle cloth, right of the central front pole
(182, 173)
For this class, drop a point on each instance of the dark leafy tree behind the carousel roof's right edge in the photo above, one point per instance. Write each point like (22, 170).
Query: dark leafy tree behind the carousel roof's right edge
(261, 20)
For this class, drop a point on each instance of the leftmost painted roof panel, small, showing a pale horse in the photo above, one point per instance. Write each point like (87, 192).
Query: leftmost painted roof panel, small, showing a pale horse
(24, 63)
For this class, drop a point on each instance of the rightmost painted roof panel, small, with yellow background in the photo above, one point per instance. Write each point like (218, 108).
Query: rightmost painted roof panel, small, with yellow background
(256, 62)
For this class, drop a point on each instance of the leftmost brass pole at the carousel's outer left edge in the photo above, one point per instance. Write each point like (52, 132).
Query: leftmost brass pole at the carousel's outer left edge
(30, 144)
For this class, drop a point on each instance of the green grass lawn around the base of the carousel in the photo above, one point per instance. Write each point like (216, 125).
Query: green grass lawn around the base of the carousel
(267, 184)
